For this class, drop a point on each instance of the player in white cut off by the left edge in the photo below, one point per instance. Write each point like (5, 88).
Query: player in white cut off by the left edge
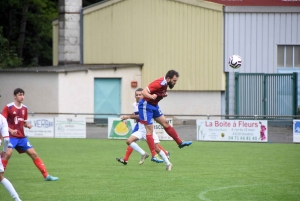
(5, 182)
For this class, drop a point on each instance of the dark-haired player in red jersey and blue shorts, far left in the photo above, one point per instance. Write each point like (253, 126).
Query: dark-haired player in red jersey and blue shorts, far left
(16, 115)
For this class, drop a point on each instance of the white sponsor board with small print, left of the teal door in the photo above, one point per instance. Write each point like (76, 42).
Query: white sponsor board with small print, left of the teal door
(70, 127)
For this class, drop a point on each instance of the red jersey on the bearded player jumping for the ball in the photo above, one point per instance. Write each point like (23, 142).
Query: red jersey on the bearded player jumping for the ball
(158, 87)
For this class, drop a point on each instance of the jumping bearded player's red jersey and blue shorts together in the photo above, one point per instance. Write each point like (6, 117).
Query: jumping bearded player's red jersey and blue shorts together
(148, 108)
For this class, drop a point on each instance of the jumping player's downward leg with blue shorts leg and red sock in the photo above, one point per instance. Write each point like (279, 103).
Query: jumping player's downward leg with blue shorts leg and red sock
(146, 118)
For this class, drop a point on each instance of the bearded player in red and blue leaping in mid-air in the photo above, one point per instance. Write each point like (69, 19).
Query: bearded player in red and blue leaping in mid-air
(149, 109)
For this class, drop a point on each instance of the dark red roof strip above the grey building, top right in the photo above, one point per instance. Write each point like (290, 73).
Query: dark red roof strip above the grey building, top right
(258, 2)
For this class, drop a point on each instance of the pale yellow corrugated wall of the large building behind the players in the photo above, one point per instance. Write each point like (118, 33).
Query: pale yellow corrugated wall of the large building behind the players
(184, 35)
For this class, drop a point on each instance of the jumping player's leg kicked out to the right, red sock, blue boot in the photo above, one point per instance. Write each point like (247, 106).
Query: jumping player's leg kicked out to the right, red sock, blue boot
(171, 131)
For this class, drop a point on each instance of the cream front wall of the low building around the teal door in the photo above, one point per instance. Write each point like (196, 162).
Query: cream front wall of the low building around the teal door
(76, 89)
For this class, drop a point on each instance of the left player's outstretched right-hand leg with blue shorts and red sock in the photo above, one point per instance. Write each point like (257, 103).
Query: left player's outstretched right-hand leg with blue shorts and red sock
(25, 146)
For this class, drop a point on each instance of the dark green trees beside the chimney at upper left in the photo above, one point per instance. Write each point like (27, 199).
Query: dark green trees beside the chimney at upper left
(26, 37)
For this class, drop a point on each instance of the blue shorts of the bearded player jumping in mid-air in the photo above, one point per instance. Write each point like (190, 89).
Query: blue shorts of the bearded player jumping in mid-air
(148, 112)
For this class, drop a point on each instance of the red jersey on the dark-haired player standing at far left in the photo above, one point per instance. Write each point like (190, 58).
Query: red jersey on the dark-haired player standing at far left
(15, 117)
